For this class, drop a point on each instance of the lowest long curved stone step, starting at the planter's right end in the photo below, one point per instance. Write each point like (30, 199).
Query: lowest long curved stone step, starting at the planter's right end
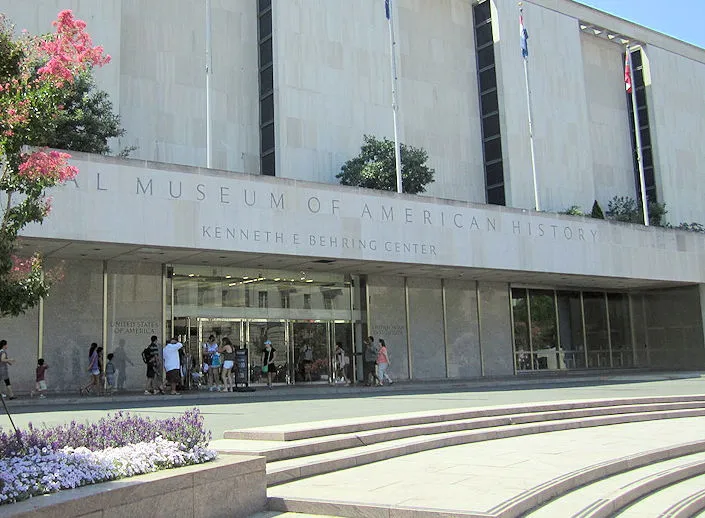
(283, 471)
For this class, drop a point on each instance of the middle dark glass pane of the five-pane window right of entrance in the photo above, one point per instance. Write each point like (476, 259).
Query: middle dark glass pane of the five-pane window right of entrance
(570, 325)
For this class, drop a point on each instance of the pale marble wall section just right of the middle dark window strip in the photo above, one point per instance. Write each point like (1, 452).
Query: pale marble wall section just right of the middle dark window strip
(564, 157)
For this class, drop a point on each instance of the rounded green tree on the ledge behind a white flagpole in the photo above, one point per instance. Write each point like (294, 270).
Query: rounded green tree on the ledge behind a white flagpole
(375, 167)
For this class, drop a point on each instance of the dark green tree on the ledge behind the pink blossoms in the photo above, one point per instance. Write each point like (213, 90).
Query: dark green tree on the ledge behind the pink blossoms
(87, 120)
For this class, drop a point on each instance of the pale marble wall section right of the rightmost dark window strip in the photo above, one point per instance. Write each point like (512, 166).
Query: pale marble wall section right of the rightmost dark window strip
(677, 118)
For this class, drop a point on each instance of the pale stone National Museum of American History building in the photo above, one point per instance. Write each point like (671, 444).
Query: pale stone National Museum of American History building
(228, 218)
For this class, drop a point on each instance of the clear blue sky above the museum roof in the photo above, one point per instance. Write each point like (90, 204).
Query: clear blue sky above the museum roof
(682, 19)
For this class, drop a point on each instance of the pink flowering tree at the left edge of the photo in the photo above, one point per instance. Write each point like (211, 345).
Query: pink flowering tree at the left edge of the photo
(33, 71)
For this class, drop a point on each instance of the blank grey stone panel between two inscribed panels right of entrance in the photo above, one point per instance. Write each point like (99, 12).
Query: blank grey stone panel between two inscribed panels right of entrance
(428, 358)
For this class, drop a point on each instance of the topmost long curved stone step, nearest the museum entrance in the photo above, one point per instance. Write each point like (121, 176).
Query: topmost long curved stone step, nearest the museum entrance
(299, 431)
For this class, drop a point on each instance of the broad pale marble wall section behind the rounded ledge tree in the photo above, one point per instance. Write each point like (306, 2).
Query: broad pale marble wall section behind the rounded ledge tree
(333, 86)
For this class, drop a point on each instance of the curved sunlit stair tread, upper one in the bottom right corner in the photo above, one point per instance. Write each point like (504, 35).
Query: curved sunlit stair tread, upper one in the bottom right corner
(578, 499)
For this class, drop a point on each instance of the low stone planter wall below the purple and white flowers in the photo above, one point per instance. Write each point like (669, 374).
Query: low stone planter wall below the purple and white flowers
(232, 485)
